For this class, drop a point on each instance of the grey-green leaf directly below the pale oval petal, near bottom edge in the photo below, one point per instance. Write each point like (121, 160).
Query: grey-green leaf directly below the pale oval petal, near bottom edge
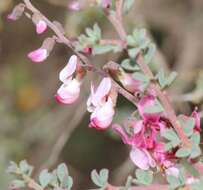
(144, 177)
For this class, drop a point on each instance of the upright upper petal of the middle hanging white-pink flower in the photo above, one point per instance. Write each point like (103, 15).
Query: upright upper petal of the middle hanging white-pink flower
(102, 91)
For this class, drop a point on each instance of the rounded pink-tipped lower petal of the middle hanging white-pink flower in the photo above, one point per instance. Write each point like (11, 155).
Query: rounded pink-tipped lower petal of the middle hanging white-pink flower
(102, 117)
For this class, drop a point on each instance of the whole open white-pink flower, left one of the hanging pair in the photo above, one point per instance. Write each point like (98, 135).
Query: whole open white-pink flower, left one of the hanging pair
(69, 91)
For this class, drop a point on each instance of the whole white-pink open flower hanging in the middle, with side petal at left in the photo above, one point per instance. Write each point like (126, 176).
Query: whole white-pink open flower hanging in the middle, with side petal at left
(101, 105)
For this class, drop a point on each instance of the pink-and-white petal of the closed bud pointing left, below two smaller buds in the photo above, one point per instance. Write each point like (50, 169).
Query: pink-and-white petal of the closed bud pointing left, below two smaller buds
(38, 55)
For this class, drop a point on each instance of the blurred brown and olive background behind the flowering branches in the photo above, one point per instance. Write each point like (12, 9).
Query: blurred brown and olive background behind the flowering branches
(34, 127)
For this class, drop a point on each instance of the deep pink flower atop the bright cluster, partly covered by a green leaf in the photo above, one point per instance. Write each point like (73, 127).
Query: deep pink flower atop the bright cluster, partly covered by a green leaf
(147, 102)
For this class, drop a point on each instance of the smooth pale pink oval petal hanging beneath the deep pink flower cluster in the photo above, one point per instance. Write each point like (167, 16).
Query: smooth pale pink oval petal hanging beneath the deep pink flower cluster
(139, 158)
